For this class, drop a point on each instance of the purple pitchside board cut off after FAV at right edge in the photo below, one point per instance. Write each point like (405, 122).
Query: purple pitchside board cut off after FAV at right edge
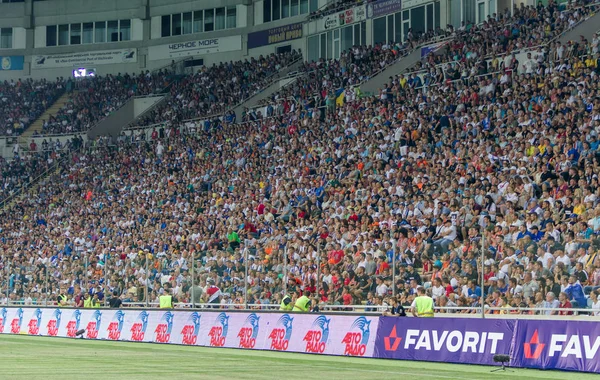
(565, 345)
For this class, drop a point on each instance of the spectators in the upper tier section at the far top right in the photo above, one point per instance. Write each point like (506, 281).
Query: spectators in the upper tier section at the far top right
(500, 36)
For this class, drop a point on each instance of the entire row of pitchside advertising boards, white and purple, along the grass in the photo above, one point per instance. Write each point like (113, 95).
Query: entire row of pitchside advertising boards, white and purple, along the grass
(543, 344)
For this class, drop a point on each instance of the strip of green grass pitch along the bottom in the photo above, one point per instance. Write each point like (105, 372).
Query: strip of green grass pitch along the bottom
(24, 357)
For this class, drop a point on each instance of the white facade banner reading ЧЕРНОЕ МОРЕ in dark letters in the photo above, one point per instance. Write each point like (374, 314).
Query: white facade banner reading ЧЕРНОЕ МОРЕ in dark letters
(195, 47)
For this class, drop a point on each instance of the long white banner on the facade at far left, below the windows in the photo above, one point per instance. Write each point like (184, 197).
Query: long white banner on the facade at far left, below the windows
(102, 57)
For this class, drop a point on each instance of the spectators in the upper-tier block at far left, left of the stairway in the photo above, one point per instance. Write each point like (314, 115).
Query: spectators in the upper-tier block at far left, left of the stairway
(23, 101)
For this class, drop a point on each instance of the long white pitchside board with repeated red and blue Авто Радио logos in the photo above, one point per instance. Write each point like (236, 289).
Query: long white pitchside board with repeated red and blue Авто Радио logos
(310, 333)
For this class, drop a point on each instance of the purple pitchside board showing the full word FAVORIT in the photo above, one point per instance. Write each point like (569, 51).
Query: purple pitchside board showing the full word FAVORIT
(451, 340)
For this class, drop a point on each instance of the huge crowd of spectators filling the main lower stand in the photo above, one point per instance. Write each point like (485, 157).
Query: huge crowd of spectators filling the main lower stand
(359, 202)
